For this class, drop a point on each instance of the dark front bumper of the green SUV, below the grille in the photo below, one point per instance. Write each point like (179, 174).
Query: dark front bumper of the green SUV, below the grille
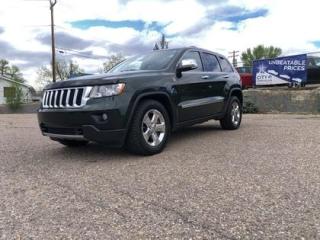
(83, 125)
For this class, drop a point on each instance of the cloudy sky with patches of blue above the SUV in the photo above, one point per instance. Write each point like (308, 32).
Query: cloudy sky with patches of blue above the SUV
(90, 31)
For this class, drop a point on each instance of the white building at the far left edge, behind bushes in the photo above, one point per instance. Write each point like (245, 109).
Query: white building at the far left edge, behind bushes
(7, 87)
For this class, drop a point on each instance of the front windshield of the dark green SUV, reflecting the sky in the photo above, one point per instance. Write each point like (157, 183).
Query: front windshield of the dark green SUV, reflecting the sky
(155, 60)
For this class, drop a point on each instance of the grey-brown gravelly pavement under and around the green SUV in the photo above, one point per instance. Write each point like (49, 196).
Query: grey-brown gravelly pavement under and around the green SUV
(260, 182)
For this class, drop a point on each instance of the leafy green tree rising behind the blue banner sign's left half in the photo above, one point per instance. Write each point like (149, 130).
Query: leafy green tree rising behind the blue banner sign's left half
(259, 52)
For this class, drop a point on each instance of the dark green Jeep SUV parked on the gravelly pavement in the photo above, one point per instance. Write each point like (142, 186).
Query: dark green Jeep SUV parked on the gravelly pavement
(142, 100)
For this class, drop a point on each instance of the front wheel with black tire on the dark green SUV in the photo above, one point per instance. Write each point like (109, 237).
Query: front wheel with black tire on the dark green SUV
(150, 129)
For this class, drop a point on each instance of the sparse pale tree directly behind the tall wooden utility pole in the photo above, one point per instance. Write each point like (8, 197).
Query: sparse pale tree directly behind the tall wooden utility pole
(64, 70)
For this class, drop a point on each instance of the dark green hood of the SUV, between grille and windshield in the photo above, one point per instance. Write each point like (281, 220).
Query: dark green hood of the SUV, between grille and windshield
(101, 79)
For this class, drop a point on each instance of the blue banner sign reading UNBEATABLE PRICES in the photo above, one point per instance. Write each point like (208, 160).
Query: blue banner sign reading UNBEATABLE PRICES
(282, 70)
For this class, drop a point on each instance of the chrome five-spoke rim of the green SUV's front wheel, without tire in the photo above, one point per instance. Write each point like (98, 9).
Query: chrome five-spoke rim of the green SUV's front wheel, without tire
(153, 127)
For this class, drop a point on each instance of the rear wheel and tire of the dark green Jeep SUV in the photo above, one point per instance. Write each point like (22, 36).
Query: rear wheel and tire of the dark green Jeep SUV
(233, 116)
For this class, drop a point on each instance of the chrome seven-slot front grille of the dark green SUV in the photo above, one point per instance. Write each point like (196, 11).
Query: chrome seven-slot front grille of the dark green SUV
(66, 97)
